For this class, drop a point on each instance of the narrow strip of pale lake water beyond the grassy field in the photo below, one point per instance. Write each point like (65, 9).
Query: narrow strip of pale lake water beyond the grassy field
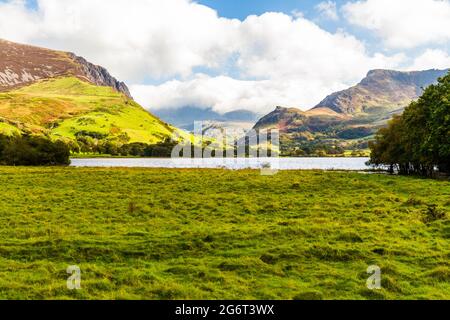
(356, 164)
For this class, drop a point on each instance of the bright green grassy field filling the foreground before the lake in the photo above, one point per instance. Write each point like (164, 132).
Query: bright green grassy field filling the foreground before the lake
(216, 234)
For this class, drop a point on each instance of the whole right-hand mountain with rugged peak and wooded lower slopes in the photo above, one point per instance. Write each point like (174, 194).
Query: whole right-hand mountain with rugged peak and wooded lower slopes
(347, 120)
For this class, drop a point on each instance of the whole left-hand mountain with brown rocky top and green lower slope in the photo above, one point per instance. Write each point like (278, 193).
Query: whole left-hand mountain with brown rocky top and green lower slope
(62, 95)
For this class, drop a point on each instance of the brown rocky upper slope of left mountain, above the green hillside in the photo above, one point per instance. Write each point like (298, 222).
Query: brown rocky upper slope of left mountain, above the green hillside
(21, 65)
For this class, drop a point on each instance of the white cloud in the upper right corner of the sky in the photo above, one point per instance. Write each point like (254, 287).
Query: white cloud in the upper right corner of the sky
(403, 24)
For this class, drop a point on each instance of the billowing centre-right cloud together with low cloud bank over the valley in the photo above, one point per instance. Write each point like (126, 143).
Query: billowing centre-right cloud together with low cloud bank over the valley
(283, 61)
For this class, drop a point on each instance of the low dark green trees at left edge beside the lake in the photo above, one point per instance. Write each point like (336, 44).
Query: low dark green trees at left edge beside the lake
(28, 150)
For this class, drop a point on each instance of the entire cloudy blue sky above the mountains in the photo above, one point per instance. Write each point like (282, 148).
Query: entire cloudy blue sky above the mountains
(237, 54)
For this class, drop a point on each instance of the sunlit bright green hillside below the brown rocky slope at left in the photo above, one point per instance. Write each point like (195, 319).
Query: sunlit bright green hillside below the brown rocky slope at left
(68, 107)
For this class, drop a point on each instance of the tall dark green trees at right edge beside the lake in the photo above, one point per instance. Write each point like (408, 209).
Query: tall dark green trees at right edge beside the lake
(418, 142)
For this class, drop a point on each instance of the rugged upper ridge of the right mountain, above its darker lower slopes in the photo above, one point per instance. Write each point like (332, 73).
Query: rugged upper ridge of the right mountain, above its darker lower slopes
(382, 89)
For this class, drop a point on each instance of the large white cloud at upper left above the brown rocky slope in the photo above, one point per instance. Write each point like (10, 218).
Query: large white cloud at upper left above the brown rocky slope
(134, 39)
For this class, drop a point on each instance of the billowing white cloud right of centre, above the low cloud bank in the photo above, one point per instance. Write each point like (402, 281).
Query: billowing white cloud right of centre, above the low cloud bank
(276, 46)
